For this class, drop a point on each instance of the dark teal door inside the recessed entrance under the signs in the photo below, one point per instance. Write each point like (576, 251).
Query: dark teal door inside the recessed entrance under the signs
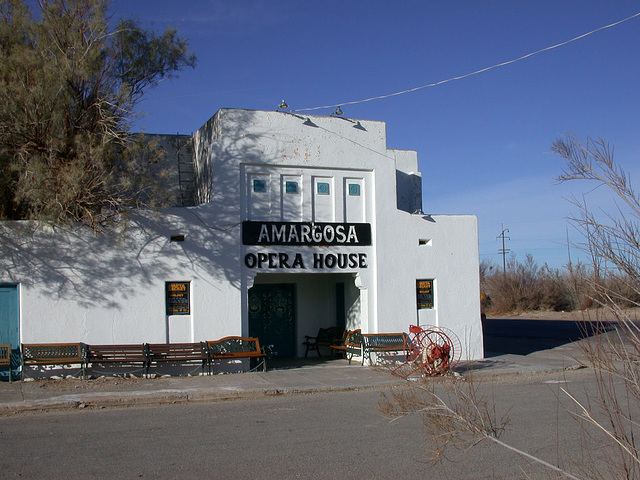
(272, 317)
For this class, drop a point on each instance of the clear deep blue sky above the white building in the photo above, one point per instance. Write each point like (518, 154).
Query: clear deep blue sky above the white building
(483, 142)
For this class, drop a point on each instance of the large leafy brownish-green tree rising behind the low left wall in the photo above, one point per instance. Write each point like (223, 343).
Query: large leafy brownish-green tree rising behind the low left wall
(71, 85)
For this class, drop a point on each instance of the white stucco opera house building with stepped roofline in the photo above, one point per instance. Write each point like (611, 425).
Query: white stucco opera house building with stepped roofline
(297, 223)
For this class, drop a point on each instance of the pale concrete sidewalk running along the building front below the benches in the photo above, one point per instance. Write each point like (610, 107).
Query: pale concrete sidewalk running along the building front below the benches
(327, 376)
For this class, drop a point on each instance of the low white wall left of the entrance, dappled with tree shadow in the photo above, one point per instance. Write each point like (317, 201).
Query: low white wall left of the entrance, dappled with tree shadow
(111, 289)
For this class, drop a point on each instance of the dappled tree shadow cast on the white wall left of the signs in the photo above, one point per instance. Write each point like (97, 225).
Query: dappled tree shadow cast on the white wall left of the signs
(103, 269)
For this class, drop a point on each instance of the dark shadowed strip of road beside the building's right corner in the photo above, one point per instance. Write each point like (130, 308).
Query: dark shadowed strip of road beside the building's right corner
(522, 336)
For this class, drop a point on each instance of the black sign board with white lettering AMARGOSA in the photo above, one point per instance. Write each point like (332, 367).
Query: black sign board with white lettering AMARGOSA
(306, 233)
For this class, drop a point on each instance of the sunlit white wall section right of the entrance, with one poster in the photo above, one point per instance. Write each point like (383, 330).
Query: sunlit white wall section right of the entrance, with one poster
(449, 256)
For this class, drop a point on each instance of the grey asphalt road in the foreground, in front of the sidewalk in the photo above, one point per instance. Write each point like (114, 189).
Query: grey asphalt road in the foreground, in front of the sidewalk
(313, 436)
